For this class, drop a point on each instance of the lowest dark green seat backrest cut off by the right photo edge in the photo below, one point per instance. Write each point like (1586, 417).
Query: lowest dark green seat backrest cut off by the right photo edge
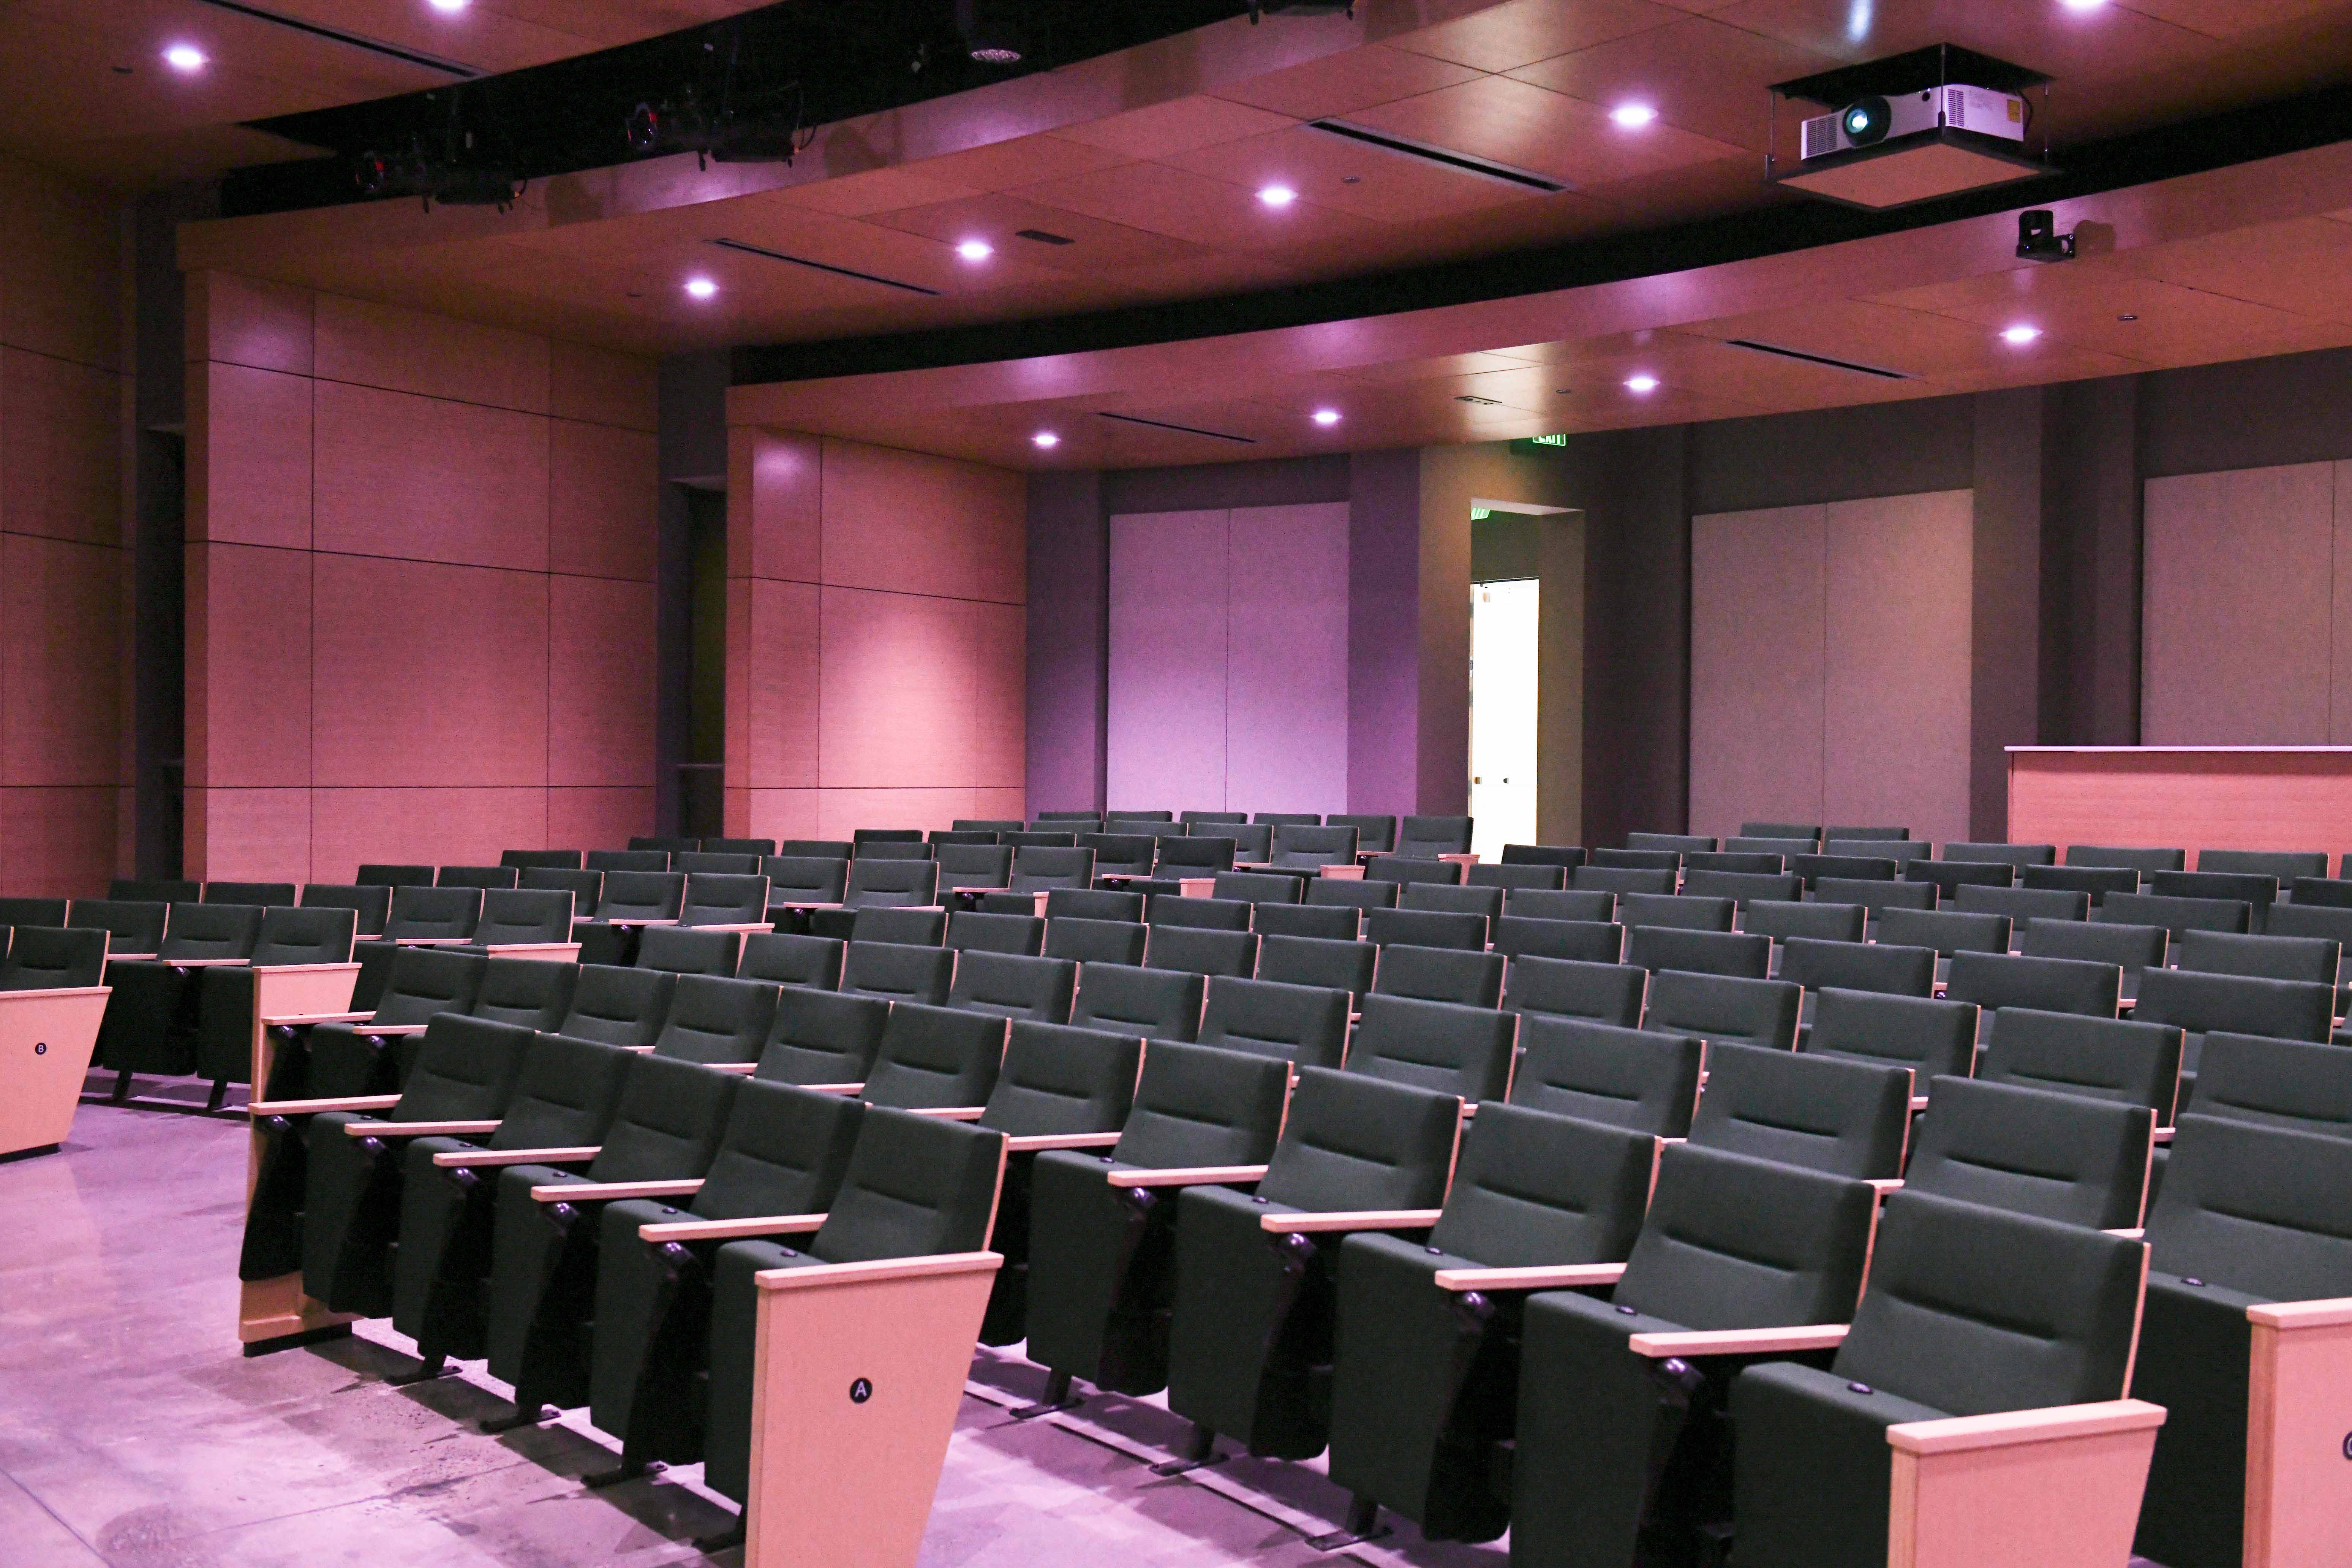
(2257, 1209)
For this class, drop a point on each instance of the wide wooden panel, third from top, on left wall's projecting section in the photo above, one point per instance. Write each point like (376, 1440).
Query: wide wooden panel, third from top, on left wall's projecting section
(429, 676)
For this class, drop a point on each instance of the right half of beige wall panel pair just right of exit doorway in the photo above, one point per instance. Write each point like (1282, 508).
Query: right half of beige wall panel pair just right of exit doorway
(1897, 664)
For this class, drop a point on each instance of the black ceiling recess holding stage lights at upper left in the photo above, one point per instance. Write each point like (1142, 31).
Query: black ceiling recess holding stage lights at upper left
(796, 65)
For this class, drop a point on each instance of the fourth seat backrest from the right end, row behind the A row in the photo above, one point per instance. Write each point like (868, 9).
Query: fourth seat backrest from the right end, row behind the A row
(1358, 1141)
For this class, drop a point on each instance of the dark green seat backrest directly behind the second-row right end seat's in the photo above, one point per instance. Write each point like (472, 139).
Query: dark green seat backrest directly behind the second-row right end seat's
(2059, 1158)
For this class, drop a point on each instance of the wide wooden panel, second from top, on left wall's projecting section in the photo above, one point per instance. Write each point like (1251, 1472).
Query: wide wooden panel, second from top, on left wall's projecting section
(422, 478)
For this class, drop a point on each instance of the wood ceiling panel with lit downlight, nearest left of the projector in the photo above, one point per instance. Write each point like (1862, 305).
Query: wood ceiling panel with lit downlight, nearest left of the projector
(1530, 128)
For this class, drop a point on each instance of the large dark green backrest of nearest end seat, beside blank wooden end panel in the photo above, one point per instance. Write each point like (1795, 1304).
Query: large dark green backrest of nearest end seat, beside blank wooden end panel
(1977, 1311)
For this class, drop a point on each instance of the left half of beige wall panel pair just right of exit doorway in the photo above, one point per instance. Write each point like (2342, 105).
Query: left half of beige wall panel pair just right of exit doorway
(1758, 624)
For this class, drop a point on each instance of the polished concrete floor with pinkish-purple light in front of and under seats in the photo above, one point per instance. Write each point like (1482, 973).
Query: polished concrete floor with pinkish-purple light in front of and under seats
(135, 1435)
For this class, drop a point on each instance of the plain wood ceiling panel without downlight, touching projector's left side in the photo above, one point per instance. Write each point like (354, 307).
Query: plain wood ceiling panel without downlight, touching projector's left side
(1699, 74)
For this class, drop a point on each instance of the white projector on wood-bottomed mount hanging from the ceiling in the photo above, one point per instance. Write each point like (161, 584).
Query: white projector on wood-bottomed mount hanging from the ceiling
(1913, 128)
